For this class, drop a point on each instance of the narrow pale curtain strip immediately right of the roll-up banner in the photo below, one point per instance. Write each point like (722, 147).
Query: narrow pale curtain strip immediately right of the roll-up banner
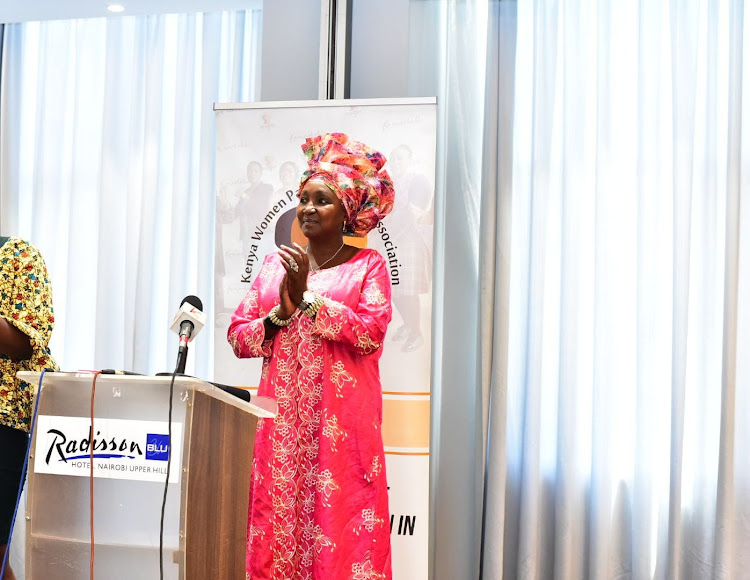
(457, 66)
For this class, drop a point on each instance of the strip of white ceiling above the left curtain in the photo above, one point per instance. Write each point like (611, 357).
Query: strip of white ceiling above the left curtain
(21, 11)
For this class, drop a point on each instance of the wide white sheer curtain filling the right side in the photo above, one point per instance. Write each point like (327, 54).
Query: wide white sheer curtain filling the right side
(614, 290)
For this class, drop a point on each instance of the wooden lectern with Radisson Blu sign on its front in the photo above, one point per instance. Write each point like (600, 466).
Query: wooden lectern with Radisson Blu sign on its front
(205, 519)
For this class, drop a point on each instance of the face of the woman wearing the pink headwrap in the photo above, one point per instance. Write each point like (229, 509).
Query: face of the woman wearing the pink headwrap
(320, 212)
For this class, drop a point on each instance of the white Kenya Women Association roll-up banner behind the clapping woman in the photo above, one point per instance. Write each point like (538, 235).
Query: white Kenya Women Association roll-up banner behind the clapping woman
(259, 162)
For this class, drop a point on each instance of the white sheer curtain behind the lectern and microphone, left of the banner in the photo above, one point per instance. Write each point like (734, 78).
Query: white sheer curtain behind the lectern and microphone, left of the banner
(107, 166)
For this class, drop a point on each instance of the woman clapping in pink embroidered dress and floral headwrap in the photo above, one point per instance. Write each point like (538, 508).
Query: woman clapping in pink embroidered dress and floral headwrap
(318, 316)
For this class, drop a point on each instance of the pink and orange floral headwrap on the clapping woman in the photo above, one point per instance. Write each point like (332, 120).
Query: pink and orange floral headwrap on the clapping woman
(355, 173)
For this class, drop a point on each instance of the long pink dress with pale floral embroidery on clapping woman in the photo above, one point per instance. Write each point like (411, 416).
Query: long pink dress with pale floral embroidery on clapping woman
(318, 497)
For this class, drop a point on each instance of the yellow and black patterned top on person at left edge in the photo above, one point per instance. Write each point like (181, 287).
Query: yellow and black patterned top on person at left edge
(26, 303)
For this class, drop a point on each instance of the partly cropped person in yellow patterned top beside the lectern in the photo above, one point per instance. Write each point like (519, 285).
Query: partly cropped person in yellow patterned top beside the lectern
(26, 321)
